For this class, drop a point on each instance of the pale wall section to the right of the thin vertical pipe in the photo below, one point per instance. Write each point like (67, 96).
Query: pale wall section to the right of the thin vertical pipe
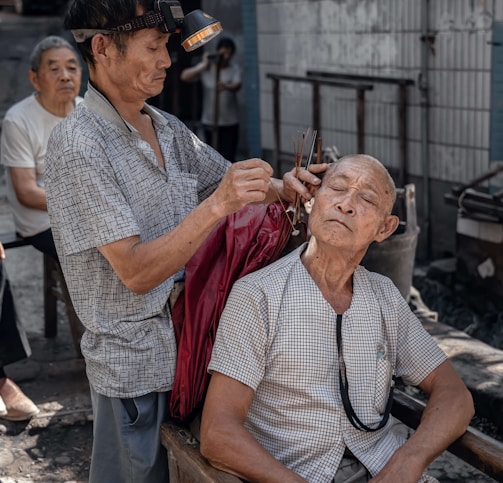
(460, 89)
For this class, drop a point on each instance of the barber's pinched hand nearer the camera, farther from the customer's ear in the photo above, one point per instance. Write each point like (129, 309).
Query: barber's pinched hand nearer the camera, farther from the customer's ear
(245, 182)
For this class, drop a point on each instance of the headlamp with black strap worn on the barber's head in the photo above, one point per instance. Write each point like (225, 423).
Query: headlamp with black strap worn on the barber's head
(197, 28)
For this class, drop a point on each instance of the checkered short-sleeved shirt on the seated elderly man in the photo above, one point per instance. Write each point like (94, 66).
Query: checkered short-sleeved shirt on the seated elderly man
(277, 335)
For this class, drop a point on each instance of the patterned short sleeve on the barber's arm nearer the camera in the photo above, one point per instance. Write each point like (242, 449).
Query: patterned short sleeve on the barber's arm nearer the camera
(84, 197)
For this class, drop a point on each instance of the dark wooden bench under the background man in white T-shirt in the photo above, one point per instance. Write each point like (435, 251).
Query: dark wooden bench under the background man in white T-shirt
(55, 289)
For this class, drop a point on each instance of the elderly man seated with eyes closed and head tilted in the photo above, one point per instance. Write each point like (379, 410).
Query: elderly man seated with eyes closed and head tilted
(308, 349)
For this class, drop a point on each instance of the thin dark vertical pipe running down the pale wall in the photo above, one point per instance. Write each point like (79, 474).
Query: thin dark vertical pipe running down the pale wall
(425, 141)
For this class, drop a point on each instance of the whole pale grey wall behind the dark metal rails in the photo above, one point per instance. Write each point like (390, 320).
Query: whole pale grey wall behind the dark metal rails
(384, 38)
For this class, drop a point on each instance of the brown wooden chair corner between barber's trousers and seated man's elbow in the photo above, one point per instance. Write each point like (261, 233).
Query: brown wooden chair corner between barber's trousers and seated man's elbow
(186, 464)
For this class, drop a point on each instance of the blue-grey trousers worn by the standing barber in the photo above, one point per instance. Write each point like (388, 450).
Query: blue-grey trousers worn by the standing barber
(126, 439)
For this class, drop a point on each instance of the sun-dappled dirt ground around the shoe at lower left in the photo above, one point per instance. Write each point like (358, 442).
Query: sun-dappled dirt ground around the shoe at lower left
(56, 445)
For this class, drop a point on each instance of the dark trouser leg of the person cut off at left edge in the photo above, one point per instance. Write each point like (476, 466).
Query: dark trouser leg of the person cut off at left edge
(14, 345)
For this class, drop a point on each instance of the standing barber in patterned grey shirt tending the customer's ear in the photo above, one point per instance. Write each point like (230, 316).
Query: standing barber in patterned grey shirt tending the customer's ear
(132, 193)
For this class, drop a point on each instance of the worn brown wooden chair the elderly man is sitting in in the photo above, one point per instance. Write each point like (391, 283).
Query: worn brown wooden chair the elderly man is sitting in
(187, 465)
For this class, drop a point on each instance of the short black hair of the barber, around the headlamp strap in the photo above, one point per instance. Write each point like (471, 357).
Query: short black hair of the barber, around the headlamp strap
(102, 14)
